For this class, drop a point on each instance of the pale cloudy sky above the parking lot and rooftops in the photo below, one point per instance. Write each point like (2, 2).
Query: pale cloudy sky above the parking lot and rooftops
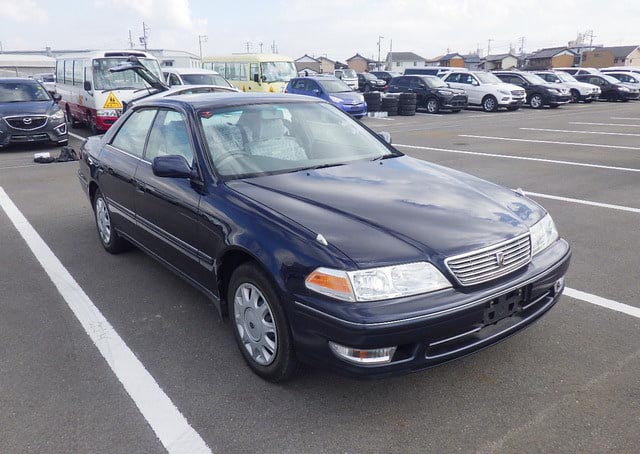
(335, 28)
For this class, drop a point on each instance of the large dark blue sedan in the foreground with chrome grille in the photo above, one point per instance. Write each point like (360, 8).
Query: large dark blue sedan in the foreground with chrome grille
(320, 241)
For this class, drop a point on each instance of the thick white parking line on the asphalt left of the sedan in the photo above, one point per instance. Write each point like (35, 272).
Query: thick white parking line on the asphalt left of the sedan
(170, 426)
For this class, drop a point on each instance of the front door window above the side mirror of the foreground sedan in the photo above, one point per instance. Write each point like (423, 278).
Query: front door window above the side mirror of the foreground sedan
(169, 136)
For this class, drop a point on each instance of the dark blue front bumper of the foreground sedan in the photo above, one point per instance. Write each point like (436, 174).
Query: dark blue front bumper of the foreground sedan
(427, 330)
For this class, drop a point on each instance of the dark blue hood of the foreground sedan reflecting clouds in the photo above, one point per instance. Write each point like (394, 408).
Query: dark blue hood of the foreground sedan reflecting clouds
(395, 210)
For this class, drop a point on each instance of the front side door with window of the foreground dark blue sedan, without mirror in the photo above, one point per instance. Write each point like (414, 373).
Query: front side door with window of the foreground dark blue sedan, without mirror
(167, 208)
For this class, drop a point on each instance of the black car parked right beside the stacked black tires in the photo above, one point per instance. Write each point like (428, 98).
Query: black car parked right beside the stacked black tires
(432, 93)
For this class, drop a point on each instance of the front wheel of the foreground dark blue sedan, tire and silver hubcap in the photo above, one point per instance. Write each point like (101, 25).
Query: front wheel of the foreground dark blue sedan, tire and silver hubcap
(260, 325)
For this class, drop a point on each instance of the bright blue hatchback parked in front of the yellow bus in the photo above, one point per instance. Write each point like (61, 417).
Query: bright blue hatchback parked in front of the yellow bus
(330, 89)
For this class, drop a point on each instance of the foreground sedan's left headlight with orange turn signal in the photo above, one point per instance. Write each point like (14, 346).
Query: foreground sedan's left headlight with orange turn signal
(377, 283)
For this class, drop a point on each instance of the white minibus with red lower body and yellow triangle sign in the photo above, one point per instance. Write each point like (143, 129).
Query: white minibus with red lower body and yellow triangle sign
(94, 95)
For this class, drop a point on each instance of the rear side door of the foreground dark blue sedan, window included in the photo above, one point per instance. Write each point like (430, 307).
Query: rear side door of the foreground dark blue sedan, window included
(119, 160)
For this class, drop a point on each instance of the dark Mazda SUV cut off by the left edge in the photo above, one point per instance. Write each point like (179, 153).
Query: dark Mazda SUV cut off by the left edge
(29, 113)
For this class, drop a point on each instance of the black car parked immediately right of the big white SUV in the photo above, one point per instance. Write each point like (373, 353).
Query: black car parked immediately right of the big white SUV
(540, 93)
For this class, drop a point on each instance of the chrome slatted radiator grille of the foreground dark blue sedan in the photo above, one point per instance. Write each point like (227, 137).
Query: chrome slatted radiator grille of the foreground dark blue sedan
(491, 262)
